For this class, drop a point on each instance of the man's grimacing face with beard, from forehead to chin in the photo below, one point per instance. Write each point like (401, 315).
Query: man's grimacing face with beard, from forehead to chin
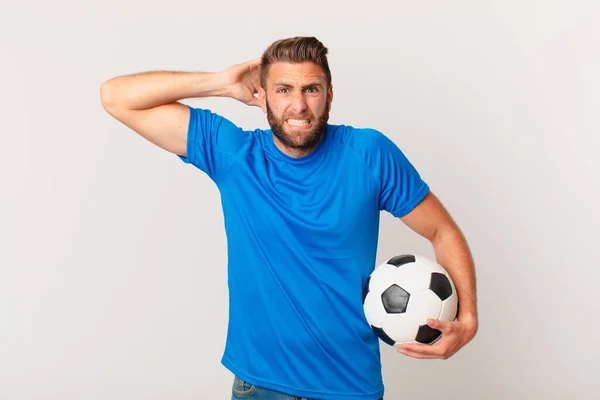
(297, 102)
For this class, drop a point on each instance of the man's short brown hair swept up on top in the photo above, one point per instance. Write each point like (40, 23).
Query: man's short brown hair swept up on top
(296, 50)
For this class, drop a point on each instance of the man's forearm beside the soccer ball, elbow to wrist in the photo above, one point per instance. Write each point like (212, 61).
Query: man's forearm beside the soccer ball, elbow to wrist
(453, 254)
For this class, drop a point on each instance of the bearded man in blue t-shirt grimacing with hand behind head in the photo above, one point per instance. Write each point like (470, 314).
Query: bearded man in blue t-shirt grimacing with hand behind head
(301, 204)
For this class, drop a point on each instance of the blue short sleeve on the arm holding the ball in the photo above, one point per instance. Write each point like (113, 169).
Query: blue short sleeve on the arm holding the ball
(402, 187)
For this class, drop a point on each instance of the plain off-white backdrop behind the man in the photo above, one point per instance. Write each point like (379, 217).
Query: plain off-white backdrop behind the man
(112, 251)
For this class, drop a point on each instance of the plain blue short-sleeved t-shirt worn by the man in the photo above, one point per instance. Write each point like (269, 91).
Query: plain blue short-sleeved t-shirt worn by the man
(302, 237)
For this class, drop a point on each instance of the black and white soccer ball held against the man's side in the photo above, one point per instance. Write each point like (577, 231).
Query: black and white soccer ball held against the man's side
(402, 293)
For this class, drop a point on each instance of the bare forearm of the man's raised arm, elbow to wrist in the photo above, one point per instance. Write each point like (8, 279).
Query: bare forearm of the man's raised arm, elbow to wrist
(150, 89)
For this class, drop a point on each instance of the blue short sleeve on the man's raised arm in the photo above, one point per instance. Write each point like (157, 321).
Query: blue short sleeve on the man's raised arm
(211, 142)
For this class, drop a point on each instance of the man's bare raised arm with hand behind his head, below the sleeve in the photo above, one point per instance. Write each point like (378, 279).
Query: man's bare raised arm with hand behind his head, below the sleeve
(148, 102)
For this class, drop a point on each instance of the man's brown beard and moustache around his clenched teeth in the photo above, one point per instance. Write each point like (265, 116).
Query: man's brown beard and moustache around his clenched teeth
(299, 139)
